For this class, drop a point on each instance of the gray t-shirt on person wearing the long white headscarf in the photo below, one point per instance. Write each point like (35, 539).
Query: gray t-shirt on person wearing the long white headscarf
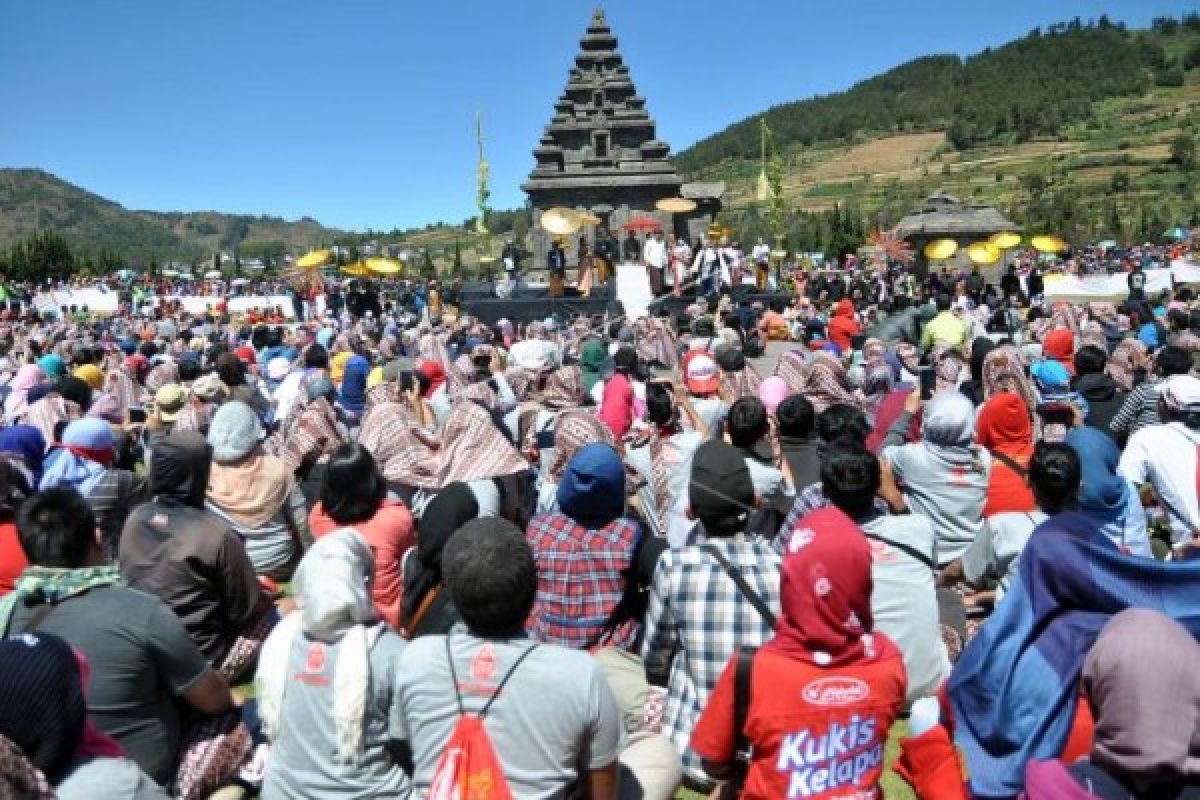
(304, 760)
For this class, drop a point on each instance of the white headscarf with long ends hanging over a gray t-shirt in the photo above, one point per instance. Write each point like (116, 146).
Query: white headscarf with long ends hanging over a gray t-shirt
(333, 591)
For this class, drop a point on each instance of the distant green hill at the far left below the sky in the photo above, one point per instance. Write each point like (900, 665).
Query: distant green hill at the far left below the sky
(32, 200)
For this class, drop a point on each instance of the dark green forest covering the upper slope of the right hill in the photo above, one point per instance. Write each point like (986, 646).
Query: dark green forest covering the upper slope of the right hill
(1029, 88)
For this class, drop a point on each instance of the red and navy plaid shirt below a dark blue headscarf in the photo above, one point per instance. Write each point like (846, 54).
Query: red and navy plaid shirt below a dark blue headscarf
(581, 580)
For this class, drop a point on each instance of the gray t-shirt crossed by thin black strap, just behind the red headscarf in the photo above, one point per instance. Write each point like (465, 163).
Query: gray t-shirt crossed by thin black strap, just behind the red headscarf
(904, 601)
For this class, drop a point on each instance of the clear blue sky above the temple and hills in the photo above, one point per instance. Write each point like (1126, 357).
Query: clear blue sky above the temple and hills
(361, 113)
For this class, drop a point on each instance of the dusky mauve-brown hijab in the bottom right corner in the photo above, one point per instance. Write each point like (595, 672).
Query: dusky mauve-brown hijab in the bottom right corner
(1148, 726)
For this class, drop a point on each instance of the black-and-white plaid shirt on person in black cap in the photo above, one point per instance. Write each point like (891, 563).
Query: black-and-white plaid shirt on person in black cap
(697, 619)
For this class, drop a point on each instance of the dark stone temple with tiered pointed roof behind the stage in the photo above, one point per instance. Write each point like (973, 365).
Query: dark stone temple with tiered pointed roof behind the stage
(601, 154)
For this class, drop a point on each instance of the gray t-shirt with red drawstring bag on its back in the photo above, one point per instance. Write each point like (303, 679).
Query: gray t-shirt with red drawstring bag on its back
(555, 719)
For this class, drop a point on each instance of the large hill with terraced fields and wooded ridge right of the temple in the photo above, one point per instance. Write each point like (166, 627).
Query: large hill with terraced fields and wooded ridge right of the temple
(1084, 130)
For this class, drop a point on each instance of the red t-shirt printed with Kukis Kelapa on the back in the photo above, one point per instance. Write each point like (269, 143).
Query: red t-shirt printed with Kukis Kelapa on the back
(817, 732)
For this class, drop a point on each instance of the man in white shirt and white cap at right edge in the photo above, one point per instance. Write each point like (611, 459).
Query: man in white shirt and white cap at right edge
(1167, 456)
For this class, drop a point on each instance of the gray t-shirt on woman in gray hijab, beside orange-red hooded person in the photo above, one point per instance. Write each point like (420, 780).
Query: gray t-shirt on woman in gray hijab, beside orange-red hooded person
(952, 495)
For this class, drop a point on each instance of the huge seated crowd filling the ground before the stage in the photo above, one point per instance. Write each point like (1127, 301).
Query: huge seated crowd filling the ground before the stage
(386, 550)
